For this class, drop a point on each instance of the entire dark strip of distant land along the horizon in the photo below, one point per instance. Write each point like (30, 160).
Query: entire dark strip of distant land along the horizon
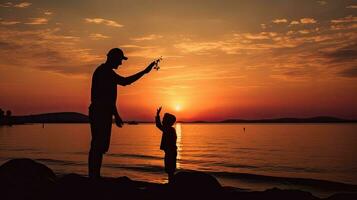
(73, 117)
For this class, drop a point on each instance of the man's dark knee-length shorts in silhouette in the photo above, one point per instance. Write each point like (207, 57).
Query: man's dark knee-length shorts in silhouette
(100, 119)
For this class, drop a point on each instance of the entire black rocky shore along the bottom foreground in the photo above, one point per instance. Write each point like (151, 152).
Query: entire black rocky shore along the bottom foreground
(28, 179)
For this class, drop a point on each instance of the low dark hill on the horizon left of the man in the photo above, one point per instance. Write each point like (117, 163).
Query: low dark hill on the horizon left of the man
(61, 117)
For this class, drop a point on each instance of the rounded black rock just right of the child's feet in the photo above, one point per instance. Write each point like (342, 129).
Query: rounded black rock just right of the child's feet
(195, 183)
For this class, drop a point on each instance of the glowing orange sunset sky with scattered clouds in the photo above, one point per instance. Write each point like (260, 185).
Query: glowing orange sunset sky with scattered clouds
(222, 59)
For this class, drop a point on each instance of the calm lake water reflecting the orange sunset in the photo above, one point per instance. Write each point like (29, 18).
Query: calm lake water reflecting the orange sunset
(313, 151)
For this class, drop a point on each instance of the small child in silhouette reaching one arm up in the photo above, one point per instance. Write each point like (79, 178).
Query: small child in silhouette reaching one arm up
(168, 141)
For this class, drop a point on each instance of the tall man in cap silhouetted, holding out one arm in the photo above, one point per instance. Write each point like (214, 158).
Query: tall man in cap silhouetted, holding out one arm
(103, 106)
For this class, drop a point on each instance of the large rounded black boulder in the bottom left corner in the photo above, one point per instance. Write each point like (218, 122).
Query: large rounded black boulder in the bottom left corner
(26, 178)
